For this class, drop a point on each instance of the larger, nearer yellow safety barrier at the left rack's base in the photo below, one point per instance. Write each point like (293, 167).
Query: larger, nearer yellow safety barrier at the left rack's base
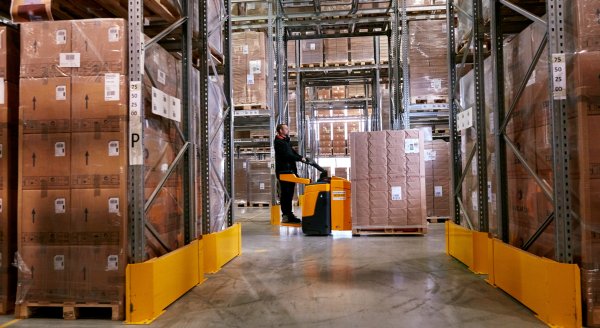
(155, 284)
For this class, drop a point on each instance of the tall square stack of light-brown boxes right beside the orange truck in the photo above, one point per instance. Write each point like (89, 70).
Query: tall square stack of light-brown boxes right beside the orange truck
(388, 186)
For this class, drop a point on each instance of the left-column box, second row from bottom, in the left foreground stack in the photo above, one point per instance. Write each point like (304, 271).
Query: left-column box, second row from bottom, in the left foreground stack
(46, 217)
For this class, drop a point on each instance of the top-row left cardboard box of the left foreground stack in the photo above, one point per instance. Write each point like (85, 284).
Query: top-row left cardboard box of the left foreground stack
(42, 44)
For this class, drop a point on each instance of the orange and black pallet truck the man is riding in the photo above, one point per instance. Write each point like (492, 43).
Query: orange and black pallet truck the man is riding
(326, 202)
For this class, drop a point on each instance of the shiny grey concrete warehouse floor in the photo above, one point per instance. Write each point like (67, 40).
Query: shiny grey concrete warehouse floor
(284, 279)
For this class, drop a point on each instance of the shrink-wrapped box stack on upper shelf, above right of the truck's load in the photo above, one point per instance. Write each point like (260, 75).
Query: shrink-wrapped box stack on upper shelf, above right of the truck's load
(428, 61)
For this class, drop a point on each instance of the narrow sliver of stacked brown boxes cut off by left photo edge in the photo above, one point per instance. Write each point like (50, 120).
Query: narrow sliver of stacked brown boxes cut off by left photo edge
(9, 102)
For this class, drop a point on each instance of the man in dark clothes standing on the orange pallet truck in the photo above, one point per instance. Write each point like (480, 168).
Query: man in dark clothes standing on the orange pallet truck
(285, 162)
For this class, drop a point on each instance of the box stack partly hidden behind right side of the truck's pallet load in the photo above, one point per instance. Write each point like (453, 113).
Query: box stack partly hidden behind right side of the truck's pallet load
(437, 178)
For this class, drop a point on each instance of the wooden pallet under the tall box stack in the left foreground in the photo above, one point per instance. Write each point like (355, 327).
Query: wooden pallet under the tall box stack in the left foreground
(70, 310)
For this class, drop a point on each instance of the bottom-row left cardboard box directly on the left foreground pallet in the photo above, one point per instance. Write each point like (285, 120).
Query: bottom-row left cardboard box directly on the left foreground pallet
(44, 274)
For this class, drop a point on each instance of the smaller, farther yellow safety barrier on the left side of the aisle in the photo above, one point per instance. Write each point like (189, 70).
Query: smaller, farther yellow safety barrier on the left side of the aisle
(222, 247)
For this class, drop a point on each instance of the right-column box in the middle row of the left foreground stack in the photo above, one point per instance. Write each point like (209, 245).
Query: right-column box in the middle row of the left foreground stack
(98, 160)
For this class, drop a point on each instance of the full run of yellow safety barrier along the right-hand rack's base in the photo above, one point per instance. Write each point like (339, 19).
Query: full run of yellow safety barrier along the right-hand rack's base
(550, 289)
